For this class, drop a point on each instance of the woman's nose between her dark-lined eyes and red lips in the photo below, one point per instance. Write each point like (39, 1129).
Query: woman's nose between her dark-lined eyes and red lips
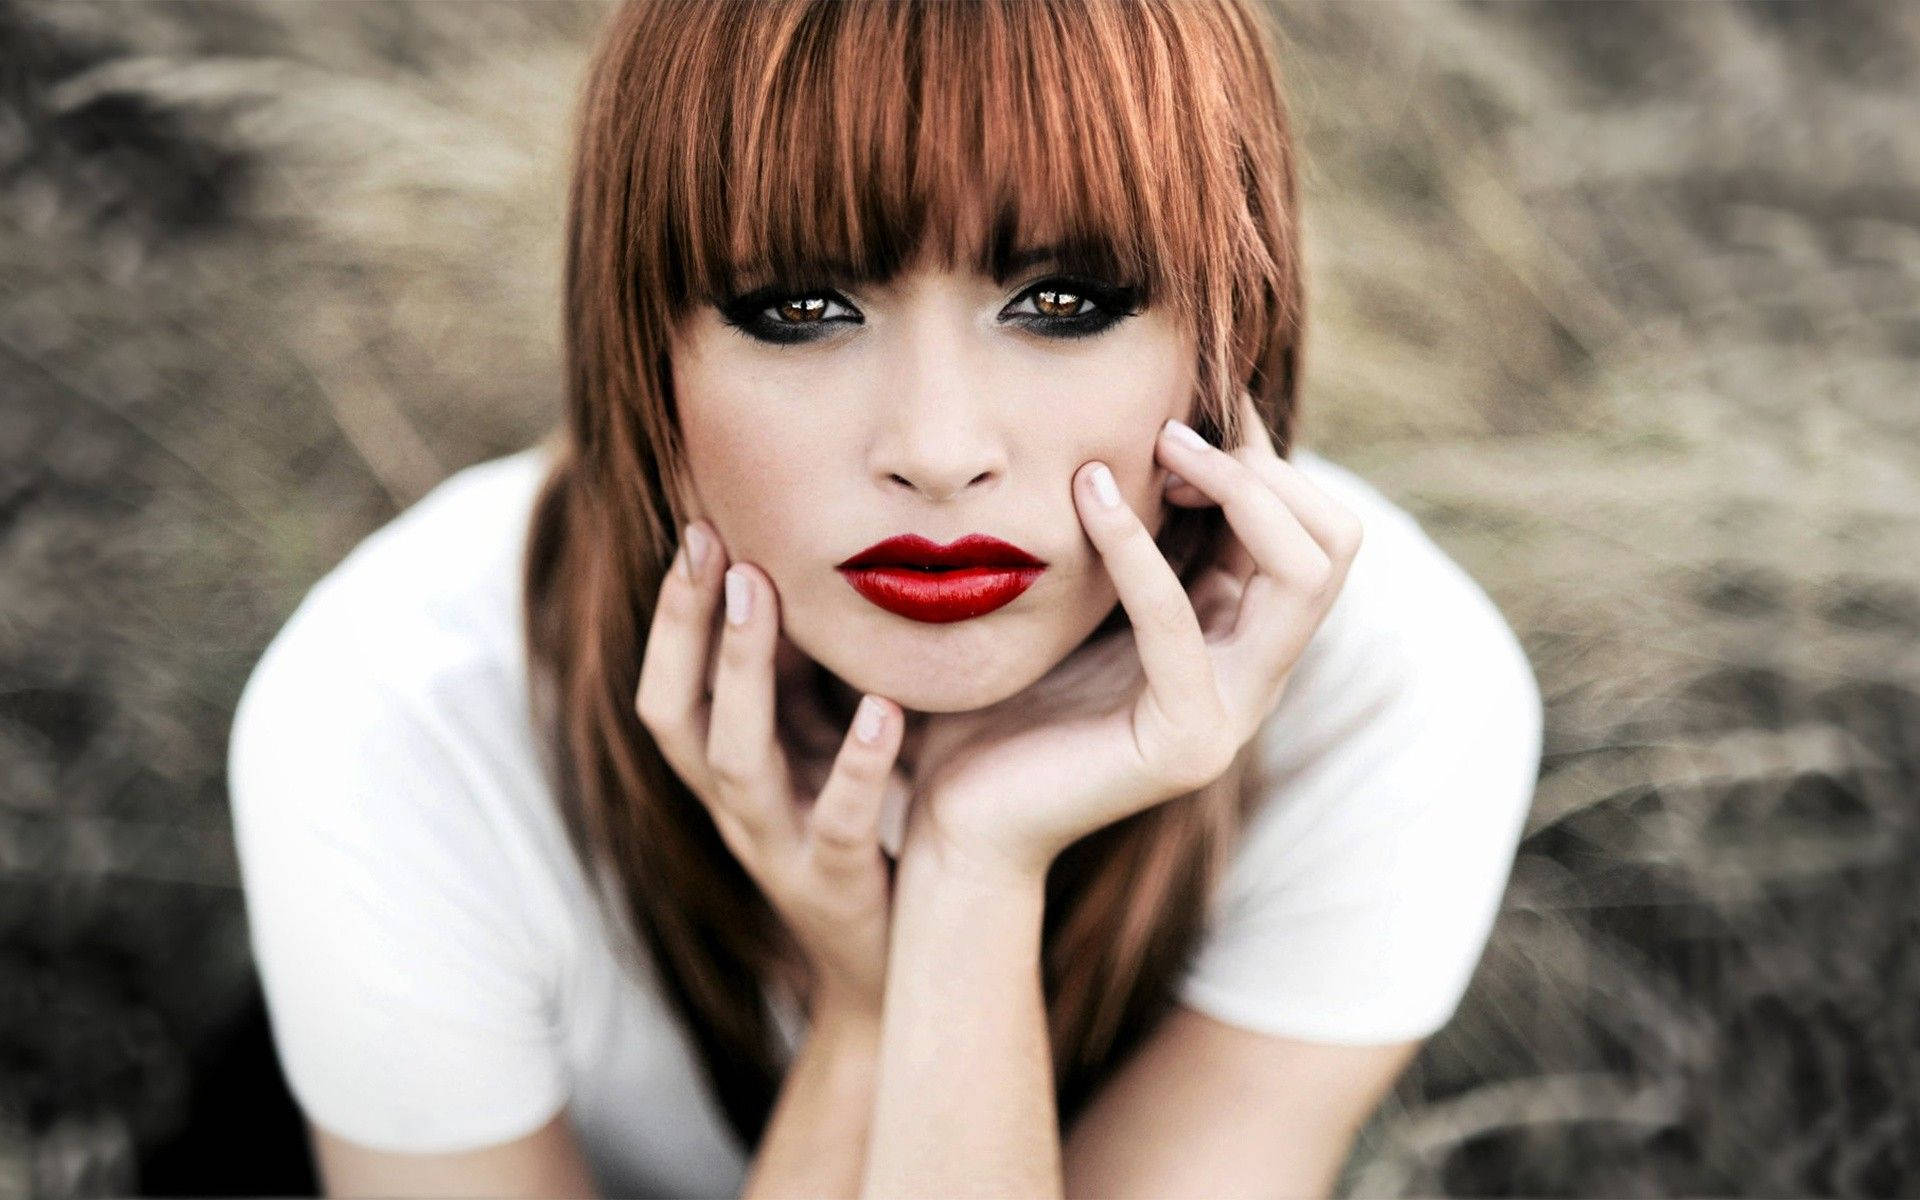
(940, 429)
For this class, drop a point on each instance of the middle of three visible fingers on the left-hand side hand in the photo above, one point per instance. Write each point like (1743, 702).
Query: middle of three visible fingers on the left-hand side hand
(744, 756)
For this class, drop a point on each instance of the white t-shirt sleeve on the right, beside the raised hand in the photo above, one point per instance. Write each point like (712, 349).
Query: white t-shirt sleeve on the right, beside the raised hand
(1366, 886)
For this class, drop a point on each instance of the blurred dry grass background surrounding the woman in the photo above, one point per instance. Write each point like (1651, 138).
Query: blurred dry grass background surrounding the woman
(1621, 300)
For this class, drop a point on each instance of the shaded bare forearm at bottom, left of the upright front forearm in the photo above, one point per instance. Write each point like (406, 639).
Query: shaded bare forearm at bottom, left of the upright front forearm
(815, 1141)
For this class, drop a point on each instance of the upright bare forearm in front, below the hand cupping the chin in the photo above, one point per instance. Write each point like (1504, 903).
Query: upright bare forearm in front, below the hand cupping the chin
(965, 1103)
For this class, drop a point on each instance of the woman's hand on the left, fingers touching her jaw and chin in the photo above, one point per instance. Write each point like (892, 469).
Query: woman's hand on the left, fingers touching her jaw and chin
(817, 863)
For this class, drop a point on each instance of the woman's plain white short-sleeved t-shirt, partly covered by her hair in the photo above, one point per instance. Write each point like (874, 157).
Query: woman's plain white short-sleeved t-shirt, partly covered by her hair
(439, 976)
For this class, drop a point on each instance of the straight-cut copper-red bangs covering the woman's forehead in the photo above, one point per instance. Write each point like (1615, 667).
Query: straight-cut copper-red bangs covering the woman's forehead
(807, 143)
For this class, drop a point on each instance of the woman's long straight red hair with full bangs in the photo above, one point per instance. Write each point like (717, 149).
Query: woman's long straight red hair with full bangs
(779, 139)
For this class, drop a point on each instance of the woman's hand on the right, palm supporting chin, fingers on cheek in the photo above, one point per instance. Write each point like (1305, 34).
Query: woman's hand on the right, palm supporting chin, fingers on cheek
(1212, 665)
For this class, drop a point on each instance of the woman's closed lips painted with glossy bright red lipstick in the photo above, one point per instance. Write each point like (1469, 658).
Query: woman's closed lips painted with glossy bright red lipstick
(932, 583)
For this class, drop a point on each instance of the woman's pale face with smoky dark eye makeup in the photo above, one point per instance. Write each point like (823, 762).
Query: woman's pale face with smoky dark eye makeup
(940, 404)
